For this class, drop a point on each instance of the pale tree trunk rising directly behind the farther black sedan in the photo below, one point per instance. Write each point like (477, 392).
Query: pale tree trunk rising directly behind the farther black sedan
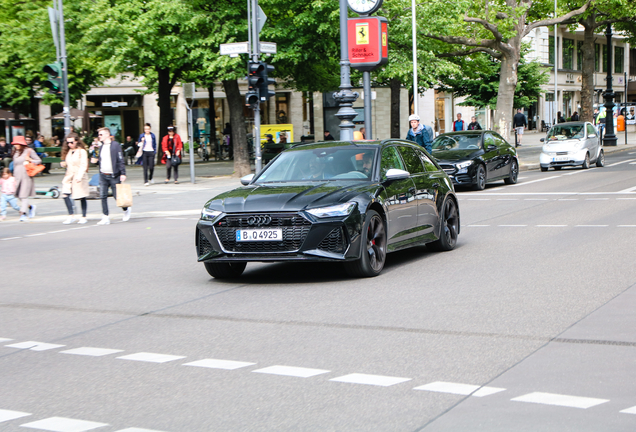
(505, 96)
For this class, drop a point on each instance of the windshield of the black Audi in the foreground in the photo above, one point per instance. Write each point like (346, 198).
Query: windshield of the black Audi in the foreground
(319, 164)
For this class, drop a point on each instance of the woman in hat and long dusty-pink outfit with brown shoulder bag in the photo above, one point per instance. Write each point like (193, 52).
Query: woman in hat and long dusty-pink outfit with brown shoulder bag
(24, 184)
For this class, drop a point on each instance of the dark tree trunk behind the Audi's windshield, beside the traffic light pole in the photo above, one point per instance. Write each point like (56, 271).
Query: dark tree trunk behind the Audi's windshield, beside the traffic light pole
(237, 121)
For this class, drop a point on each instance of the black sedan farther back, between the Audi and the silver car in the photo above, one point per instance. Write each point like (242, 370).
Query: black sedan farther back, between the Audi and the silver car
(474, 158)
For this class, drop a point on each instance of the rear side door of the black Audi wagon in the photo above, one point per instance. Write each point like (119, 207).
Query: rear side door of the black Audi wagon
(425, 190)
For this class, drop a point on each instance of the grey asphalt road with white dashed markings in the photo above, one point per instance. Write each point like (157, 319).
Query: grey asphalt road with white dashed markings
(527, 325)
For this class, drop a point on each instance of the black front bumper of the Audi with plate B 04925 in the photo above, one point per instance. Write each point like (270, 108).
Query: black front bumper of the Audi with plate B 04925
(304, 238)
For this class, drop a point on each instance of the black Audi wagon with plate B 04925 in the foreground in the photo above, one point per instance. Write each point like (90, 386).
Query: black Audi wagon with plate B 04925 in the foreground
(349, 202)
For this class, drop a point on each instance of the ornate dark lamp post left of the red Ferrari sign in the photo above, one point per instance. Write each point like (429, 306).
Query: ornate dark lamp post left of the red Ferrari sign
(345, 97)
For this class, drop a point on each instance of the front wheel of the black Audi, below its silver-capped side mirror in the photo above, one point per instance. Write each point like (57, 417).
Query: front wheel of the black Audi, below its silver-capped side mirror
(373, 257)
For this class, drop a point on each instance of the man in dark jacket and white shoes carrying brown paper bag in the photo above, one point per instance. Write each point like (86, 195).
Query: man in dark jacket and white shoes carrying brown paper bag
(112, 171)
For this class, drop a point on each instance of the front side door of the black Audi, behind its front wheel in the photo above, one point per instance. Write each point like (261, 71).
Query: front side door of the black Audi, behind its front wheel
(399, 199)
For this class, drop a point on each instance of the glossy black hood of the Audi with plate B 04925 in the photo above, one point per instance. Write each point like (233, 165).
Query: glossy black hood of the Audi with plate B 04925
(286, 196)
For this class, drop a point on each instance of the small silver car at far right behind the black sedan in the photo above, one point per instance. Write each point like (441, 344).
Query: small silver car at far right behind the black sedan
(572, 144)
